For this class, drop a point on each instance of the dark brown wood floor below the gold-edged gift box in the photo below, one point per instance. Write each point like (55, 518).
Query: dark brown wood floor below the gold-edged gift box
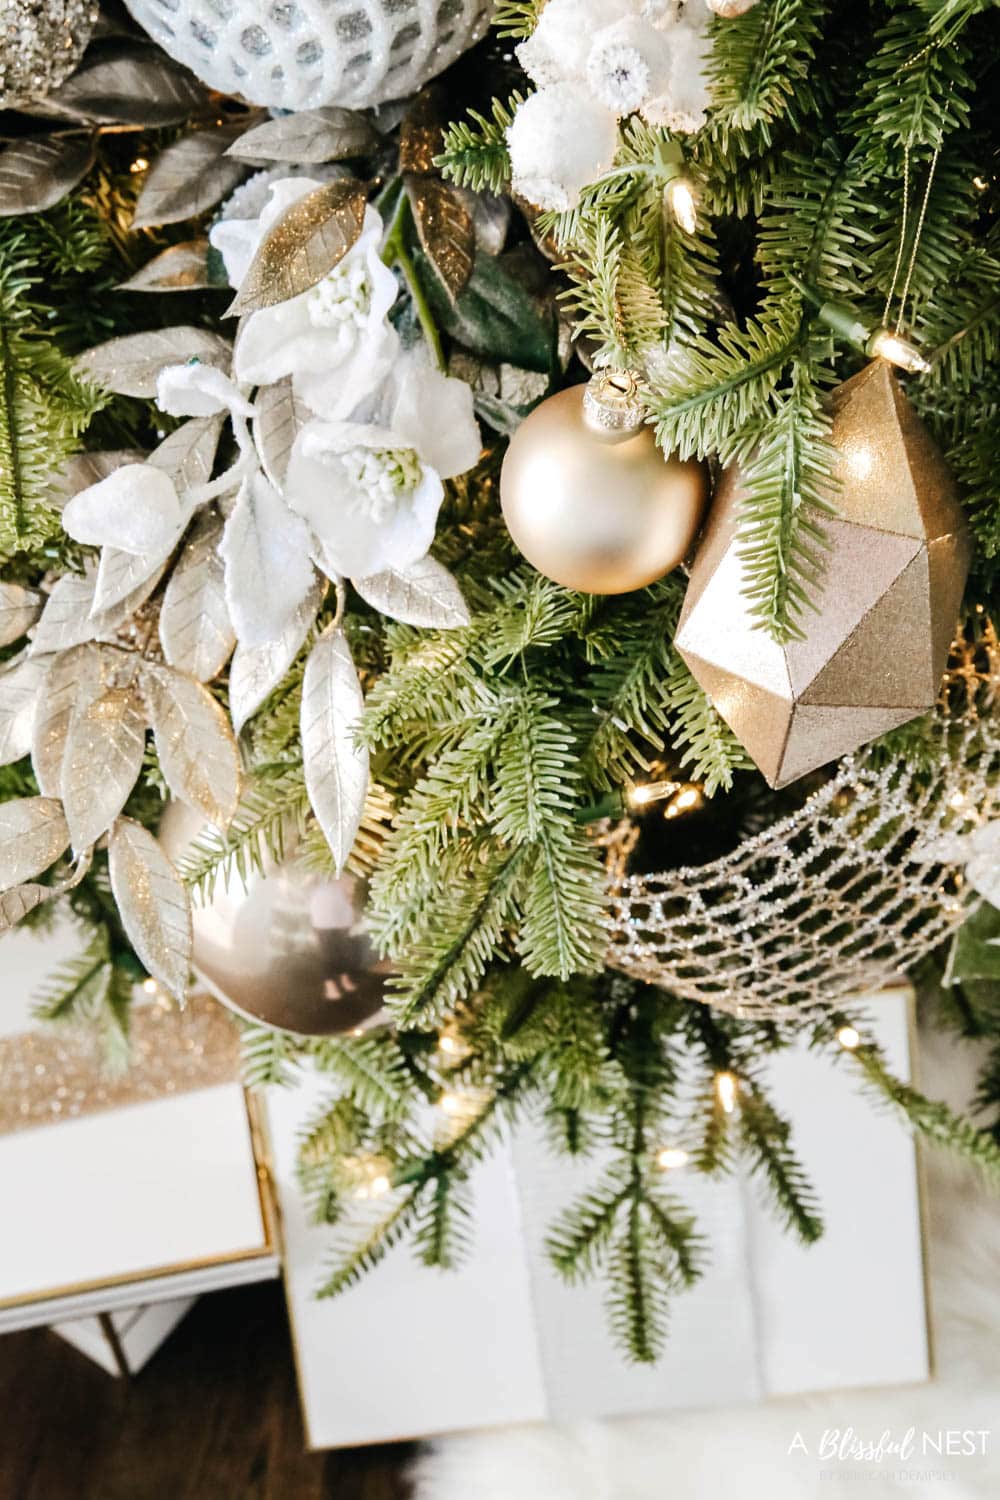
(214, 1417)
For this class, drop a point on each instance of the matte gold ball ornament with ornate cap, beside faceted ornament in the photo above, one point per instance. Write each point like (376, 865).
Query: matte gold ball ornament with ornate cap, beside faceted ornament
(590, 499)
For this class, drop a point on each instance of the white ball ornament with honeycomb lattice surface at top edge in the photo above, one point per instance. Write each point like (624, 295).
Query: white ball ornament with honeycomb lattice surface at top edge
(302, 55)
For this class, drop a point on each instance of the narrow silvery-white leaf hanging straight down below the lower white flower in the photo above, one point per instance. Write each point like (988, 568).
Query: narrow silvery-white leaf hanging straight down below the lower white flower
(337, 767)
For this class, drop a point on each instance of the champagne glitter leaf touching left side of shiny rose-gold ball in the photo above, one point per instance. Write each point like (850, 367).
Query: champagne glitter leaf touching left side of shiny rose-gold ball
(154, 905)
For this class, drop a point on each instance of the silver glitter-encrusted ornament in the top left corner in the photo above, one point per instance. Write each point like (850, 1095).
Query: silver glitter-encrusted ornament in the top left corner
(41, 44)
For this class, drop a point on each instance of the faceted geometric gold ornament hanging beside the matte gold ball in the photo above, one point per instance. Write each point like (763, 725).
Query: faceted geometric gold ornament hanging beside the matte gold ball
(878, 646)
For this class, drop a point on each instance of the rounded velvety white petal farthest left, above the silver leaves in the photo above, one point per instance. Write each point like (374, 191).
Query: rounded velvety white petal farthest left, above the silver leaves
(136, 509)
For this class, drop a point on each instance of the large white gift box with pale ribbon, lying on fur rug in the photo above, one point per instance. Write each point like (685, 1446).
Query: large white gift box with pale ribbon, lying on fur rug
(413, 1352)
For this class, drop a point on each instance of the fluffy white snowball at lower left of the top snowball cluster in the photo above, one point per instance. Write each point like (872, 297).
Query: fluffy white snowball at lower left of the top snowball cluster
(560, 140)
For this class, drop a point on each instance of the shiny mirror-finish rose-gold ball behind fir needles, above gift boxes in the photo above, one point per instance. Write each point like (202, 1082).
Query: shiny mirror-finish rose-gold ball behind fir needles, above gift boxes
(286, 949)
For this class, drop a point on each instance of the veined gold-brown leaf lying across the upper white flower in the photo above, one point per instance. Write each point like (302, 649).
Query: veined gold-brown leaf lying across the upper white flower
(305, 245)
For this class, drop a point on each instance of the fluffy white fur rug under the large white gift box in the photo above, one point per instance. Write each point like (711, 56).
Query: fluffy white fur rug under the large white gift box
(746, 1451)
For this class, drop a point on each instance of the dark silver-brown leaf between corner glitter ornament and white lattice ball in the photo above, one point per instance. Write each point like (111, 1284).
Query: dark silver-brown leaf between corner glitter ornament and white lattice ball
(131, 85)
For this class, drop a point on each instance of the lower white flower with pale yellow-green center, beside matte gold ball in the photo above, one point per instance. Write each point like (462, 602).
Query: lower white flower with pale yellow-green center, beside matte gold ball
(371, 487)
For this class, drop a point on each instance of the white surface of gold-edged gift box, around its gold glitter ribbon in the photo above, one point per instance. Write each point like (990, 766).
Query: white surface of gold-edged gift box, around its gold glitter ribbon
(148, 1202)
